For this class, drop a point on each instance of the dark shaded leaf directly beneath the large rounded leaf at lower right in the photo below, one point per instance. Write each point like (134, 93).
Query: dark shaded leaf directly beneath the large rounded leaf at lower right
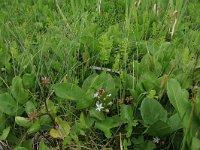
(159, 128)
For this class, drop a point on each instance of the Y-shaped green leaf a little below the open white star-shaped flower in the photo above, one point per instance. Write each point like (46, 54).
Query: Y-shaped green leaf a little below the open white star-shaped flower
(107, 124)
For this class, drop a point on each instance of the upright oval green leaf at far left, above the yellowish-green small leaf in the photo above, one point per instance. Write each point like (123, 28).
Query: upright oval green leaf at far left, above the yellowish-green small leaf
(18, 91)
